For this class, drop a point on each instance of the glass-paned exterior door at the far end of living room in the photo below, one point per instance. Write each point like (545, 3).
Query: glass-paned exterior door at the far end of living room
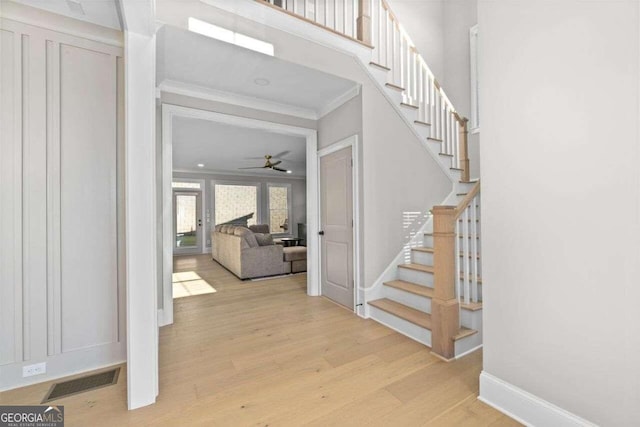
(187, 222)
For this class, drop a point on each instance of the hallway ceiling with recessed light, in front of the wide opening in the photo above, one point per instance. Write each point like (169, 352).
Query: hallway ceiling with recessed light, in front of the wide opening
(206, 63)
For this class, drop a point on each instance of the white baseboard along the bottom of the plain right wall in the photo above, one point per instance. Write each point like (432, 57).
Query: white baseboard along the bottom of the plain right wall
(523, 406)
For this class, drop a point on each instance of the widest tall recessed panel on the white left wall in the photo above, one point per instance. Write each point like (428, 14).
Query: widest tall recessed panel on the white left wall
(88, 191)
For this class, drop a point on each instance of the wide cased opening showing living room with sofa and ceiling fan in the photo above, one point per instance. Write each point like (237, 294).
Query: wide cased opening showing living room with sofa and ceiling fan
(239, 196)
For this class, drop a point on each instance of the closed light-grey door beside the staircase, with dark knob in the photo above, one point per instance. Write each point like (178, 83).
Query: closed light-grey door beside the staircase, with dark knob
(336, 225)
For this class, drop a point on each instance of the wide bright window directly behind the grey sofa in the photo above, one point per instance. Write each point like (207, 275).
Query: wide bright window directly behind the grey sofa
(236, 204)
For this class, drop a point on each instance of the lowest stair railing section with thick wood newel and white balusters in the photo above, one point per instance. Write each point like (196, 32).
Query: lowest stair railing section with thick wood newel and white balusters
(452, 277)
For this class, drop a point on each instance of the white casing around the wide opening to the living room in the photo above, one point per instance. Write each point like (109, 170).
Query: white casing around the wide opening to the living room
(169, 112)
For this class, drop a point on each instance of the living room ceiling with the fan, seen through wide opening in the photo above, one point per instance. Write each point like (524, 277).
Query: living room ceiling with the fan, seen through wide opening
(224, 148)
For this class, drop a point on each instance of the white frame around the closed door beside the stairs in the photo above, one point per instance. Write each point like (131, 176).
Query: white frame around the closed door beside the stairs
(353, 142)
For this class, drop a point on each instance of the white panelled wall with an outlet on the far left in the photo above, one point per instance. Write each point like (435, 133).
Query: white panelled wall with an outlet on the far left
(61, 266)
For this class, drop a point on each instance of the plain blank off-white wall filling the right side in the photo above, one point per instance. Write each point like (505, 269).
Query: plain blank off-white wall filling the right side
(561, 203)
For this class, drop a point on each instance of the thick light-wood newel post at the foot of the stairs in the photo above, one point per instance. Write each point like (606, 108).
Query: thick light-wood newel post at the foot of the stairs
(445, 314)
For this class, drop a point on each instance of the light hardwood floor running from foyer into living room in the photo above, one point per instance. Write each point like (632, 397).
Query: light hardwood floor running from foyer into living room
(264, 354)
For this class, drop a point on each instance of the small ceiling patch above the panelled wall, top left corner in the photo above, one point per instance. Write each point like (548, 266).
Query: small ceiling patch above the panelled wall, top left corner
(101, 12)
